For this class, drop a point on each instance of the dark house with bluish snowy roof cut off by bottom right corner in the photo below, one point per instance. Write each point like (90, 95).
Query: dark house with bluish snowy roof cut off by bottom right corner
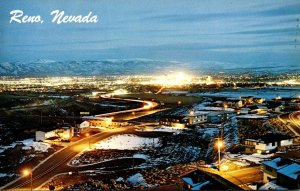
(289, 176)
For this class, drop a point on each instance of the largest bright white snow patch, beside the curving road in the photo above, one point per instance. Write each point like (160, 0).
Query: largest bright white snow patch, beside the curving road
(126, 142)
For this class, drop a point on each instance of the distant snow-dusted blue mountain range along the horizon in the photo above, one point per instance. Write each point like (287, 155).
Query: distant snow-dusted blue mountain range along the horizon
(45, 67)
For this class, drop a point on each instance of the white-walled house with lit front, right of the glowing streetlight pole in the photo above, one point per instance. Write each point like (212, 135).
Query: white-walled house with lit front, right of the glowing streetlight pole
(268, 143)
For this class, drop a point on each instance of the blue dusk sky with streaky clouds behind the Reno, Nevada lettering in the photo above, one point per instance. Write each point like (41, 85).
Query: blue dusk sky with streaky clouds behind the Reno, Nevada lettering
(263, 33)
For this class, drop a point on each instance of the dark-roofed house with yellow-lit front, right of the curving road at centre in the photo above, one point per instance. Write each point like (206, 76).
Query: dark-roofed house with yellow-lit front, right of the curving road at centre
(174, 121)
